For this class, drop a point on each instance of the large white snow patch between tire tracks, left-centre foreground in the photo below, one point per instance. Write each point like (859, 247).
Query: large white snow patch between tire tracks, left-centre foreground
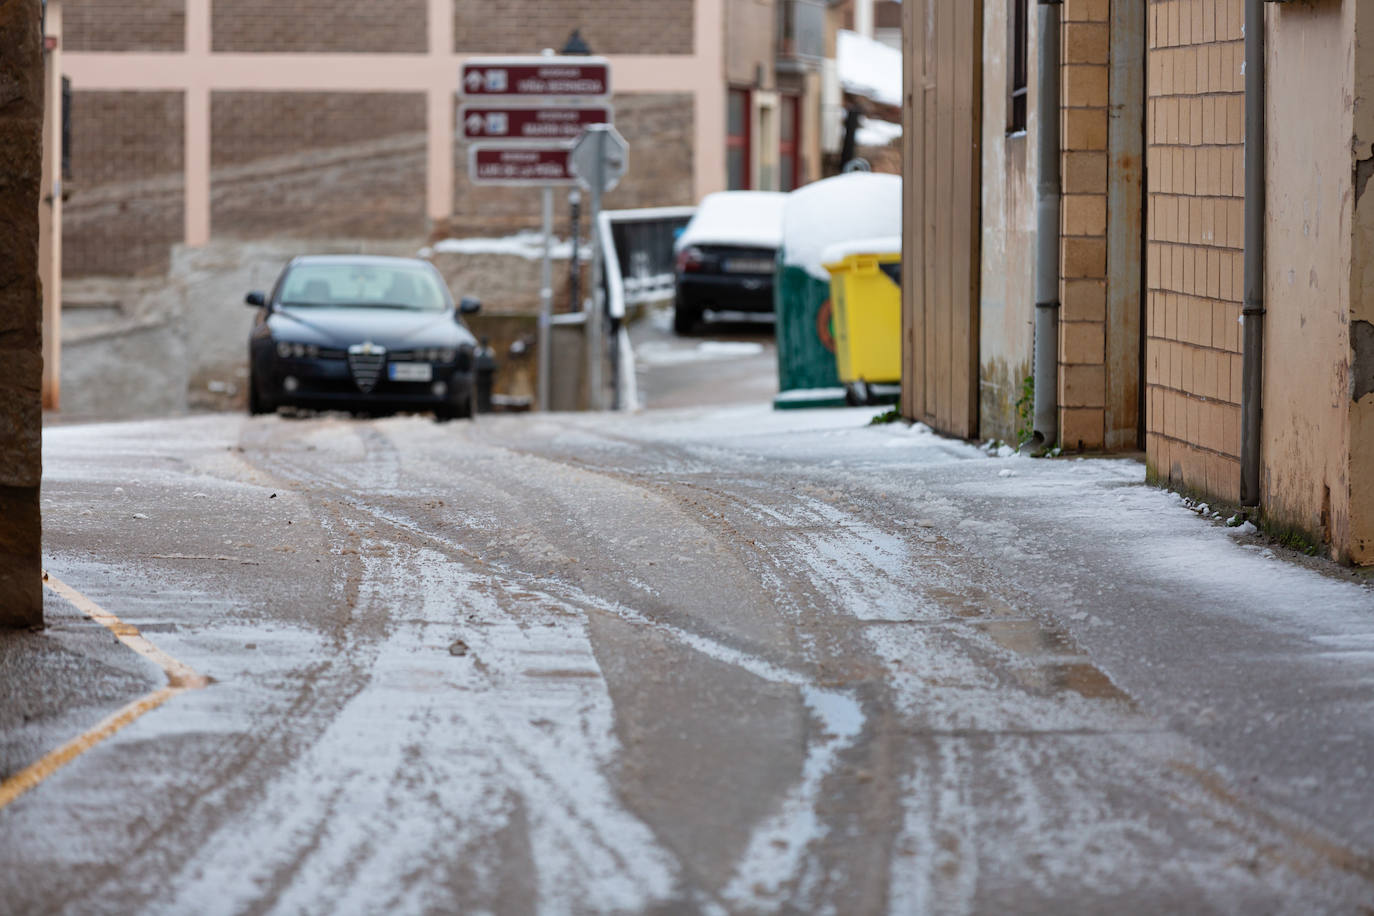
(523, 740)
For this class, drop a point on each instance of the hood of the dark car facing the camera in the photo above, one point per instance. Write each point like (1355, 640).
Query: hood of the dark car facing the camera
(394, 329)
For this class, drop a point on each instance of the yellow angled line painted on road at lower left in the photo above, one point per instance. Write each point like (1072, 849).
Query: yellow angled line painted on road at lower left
(181, 679)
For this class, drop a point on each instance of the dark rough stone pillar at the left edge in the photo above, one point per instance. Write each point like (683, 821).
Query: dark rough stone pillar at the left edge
(21, 307)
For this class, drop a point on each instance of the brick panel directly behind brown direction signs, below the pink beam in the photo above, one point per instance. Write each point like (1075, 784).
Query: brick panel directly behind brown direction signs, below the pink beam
(659, 130)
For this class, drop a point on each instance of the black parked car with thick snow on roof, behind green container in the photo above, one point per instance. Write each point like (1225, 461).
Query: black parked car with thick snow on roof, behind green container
(726, 256)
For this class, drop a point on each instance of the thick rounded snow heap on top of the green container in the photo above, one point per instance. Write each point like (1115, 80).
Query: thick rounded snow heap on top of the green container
(847, 208)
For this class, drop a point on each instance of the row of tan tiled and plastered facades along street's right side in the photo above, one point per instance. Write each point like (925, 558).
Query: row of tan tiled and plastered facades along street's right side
(1152, 245)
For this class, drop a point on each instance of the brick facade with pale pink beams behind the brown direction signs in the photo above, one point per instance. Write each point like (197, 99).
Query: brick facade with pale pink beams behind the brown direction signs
(197, 119)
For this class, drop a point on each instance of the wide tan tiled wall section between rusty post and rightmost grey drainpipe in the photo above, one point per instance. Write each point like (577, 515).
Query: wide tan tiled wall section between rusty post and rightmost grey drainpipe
(1195, 128)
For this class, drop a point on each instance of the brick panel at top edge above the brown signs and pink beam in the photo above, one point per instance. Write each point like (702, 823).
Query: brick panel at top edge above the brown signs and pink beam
(609, 27)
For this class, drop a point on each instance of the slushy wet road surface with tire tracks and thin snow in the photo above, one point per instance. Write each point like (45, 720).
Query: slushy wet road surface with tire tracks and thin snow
(704, 659)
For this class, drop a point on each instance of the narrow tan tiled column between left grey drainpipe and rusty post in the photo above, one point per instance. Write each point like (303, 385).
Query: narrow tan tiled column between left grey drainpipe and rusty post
(1088, 45)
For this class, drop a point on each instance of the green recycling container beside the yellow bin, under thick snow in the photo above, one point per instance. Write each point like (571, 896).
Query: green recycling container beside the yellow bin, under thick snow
(807, 371)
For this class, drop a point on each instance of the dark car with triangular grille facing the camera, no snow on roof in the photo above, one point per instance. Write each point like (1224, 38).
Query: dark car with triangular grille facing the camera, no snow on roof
(362, 334)
